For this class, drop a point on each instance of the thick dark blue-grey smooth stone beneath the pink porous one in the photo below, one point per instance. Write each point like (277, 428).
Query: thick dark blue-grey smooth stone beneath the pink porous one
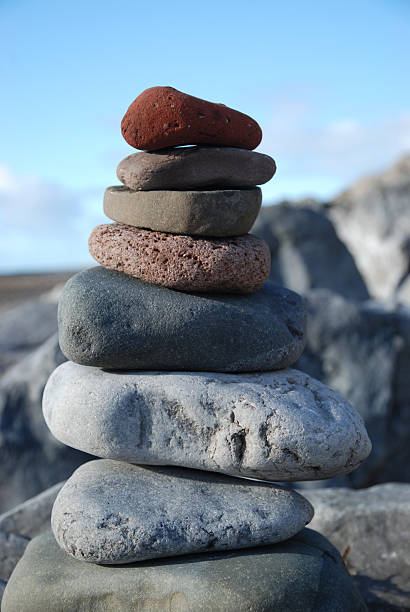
(111, 320)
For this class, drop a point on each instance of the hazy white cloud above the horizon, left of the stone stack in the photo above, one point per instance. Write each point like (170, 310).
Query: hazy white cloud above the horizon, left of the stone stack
(44, 225)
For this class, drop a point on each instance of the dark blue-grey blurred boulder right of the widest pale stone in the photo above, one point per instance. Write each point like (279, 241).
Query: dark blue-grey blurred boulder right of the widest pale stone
(362, 351)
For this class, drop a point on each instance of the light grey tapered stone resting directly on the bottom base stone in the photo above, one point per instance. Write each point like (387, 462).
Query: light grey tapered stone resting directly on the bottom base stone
(115, 512)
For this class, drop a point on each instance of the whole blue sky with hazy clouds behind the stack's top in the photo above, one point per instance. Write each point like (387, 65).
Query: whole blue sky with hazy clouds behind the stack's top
(327, 81)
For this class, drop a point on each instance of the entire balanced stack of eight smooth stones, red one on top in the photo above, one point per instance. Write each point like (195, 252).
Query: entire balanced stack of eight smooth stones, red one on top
(179, 379)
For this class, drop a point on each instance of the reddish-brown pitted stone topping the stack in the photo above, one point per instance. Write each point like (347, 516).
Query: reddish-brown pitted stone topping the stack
(164, 117)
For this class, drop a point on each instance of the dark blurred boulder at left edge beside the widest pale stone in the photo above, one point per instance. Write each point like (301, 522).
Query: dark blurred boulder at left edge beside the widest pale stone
(31, 459)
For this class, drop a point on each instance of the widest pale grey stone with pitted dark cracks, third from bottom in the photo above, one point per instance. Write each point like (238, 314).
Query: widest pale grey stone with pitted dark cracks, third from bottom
(275, 426)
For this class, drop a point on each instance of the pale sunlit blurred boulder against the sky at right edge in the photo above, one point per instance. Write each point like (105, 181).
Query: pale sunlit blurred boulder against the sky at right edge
(373, 219)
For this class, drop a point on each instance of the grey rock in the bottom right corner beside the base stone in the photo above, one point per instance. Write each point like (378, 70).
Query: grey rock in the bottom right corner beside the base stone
(371, 529)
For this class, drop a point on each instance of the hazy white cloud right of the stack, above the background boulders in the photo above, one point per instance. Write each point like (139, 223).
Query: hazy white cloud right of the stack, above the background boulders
(321, 158)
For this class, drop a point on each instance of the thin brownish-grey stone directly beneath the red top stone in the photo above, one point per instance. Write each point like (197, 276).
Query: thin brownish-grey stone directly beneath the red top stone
(195, 168)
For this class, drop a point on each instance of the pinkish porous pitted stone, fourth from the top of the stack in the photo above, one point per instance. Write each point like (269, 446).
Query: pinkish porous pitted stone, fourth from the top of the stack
(221, 265)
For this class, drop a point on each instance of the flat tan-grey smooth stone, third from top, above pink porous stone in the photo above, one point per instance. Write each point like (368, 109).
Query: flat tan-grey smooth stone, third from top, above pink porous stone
(218, 214)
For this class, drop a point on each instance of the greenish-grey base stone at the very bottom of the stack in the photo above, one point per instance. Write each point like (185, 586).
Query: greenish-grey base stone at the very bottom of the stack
(304, 574)
